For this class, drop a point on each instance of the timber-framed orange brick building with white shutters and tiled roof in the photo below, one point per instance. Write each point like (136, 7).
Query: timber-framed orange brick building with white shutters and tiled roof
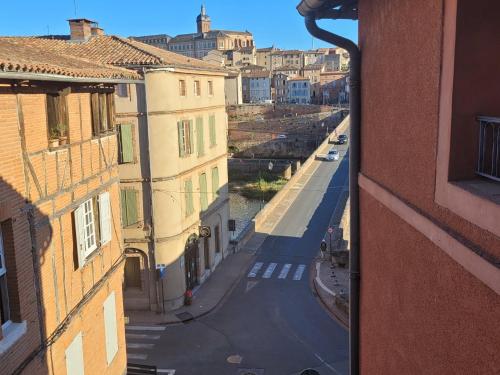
(61, 253)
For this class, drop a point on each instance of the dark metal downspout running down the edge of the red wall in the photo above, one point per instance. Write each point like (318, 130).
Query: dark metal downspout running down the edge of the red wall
(354, 169)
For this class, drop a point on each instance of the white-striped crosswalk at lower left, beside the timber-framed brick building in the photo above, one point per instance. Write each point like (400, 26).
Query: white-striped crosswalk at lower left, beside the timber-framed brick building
(141, 340)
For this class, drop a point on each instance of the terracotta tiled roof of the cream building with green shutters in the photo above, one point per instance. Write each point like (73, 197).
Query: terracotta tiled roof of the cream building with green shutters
(114, 50)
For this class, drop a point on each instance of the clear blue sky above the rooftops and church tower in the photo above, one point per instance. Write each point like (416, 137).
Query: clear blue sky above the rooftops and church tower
(271, 21)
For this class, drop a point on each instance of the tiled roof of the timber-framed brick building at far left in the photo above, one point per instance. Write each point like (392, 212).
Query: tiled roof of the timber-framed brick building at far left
(28, 55)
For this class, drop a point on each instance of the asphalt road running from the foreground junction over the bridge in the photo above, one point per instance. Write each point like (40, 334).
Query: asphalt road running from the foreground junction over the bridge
(271, 324)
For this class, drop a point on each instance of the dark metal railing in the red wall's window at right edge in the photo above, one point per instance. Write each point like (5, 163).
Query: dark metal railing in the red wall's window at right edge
(488, 164)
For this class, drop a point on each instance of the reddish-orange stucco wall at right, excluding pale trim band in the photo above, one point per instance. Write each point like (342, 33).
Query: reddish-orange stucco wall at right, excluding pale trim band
(421, 312)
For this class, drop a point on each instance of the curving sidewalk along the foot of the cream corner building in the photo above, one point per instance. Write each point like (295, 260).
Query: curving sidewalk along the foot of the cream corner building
(206, 297)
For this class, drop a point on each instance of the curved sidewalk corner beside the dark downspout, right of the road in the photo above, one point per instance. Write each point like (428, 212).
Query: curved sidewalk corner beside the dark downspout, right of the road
(330, 284)
